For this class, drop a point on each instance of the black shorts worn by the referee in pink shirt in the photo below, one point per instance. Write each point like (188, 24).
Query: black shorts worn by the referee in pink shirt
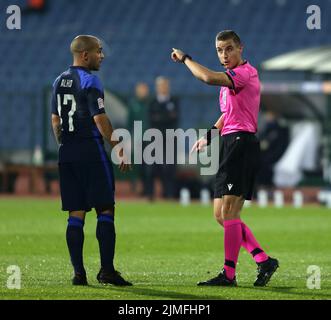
(239, 163)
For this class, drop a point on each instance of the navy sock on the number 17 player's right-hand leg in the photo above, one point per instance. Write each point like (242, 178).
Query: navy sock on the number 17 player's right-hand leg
(106, 236)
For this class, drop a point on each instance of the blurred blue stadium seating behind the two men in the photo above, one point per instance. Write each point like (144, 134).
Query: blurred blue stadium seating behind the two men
(138, 36)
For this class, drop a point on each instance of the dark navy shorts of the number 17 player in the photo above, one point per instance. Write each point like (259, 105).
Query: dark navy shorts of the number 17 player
(86, 185)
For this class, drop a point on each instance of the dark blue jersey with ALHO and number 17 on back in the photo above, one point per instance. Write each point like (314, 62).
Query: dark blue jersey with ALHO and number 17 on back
(77, 97)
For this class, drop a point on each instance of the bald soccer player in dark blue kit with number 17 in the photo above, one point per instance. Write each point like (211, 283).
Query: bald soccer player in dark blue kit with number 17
(80, 124)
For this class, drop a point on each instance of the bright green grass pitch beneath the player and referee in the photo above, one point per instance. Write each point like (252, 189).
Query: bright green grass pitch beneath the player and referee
(164, 249)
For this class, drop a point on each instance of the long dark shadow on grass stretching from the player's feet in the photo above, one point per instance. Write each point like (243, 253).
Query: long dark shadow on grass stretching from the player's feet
(146, 292)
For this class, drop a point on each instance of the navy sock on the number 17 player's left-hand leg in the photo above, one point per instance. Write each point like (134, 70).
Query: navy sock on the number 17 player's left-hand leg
(75, 241)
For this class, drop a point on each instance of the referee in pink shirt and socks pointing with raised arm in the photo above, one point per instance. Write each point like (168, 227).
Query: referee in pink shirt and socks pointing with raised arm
(239, 156)
